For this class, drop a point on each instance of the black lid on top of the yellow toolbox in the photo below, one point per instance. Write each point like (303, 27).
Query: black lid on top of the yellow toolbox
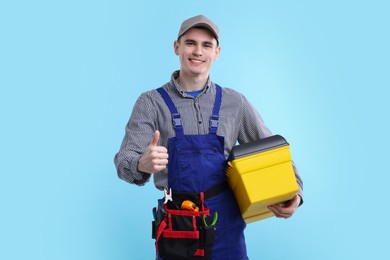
(258, 146)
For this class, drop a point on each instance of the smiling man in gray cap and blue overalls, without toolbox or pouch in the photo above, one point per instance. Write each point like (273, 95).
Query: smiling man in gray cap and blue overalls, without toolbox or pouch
(189, 155)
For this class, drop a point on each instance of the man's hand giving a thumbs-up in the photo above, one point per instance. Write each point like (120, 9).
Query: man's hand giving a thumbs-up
(155, 159)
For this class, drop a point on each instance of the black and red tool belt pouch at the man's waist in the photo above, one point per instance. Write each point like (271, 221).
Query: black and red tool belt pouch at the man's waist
(183, 234)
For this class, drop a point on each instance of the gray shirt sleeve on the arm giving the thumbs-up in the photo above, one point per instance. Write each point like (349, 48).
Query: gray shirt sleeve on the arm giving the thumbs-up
(138, 133)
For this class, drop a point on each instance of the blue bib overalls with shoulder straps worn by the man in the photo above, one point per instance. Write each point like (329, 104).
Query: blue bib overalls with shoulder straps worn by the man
(196, 164)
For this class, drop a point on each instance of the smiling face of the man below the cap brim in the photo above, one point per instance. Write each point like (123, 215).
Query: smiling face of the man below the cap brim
(197, 49)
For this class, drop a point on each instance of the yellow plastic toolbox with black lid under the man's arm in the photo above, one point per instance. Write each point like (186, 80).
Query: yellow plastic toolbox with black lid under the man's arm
(260, 174)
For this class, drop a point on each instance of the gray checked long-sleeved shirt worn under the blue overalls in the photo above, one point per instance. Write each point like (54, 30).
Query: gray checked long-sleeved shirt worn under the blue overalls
(238, 122)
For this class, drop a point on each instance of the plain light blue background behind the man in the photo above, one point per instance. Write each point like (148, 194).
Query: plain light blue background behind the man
(70, 72)
